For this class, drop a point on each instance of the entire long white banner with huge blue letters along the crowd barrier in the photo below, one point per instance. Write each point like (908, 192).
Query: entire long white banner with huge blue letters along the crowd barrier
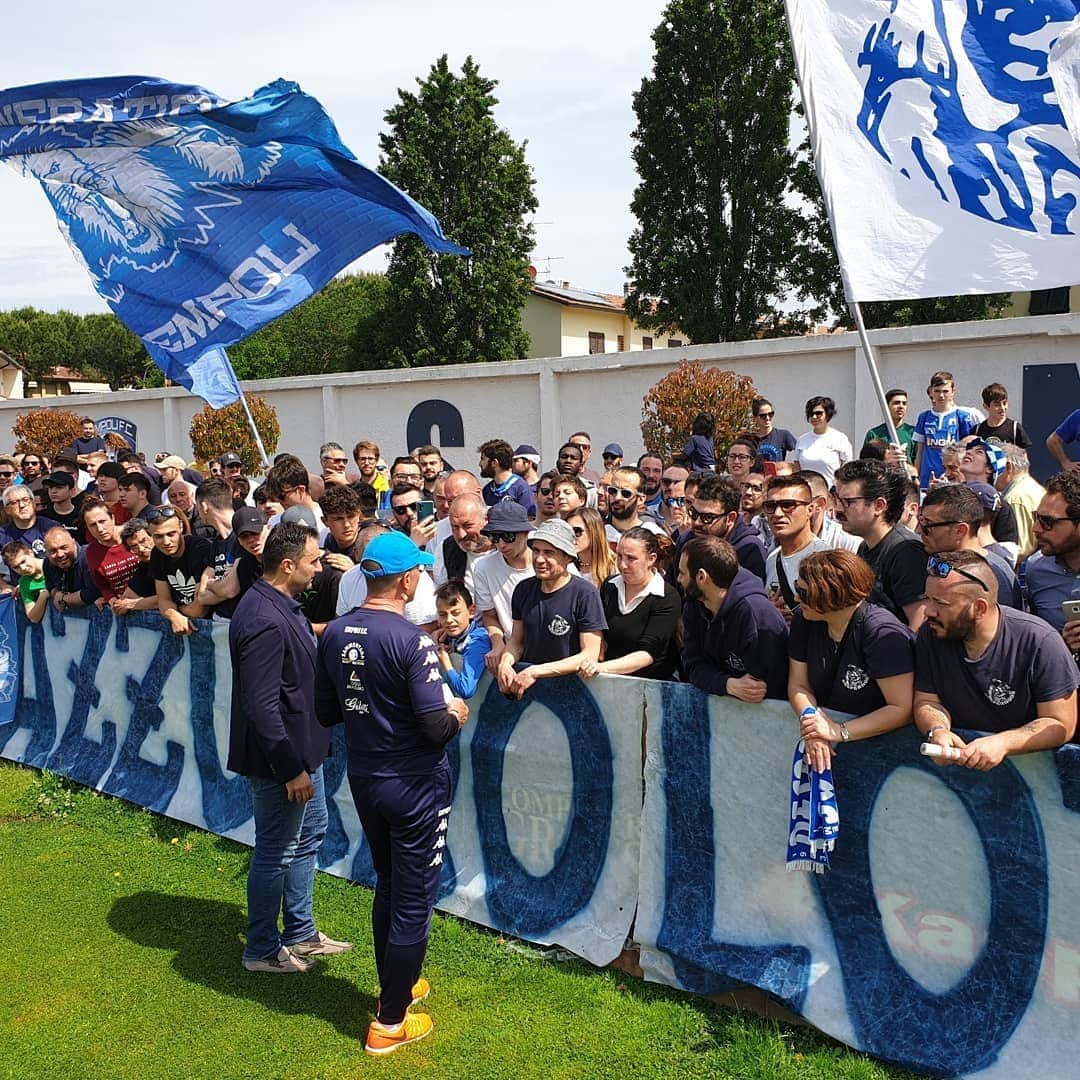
(944, 938)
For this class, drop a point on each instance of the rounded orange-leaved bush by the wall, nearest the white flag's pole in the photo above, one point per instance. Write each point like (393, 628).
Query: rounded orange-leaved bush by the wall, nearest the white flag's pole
(669, 409)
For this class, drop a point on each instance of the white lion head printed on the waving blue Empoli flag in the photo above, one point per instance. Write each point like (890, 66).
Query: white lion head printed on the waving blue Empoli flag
(119, 197)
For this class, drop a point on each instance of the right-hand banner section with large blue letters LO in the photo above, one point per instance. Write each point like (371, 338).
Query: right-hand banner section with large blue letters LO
(944, 937)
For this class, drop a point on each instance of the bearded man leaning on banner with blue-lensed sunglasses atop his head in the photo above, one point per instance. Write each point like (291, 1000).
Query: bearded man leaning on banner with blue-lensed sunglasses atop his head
(989, 668)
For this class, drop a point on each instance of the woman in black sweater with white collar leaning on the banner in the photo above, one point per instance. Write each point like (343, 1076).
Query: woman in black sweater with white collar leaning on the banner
(642, 612)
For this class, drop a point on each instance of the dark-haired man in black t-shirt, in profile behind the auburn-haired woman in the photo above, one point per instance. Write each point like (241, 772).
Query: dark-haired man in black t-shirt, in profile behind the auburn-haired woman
(871, 501)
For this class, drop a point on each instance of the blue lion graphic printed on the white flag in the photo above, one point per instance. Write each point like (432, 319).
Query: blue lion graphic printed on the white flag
(1000, 146)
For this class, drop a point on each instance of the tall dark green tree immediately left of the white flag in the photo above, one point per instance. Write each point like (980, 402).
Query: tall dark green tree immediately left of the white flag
(714, 236)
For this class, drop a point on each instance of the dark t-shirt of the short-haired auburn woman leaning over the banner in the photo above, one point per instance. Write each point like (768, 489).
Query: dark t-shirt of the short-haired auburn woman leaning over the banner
(877, 646)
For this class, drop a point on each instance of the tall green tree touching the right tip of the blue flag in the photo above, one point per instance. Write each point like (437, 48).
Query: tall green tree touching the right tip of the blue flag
(445, 150)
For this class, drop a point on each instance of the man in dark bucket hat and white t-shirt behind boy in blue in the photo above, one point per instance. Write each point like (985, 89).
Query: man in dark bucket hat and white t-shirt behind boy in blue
(496, 575)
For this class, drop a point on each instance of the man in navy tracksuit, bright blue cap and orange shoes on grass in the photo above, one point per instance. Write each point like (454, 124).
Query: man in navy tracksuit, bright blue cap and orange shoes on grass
(381, 676)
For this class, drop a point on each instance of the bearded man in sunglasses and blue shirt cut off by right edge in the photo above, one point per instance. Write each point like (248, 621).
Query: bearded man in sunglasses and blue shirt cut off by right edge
(1052, 575)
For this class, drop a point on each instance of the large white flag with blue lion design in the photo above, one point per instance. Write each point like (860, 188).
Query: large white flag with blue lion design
(942, 152)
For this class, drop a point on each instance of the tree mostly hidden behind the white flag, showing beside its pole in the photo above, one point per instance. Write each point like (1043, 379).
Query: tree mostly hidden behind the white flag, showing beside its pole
(816, 274)
